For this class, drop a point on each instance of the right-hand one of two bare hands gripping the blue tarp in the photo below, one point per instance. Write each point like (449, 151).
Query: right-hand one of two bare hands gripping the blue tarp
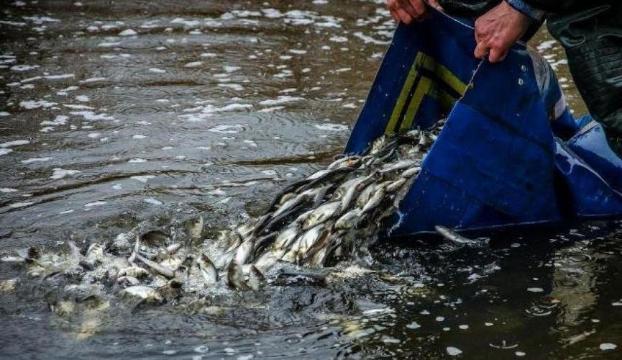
(497, 30)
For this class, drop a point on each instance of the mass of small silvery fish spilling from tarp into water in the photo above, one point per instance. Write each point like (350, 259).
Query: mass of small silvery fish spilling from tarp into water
(332, 215)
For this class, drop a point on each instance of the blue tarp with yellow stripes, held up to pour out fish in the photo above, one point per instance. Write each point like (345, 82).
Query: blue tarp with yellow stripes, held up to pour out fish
(510, 153)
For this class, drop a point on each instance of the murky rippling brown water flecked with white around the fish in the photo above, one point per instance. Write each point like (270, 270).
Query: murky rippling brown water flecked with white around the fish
(114, 113)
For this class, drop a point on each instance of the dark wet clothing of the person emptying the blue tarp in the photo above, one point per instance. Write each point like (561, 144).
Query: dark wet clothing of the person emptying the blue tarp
(591, 33)
